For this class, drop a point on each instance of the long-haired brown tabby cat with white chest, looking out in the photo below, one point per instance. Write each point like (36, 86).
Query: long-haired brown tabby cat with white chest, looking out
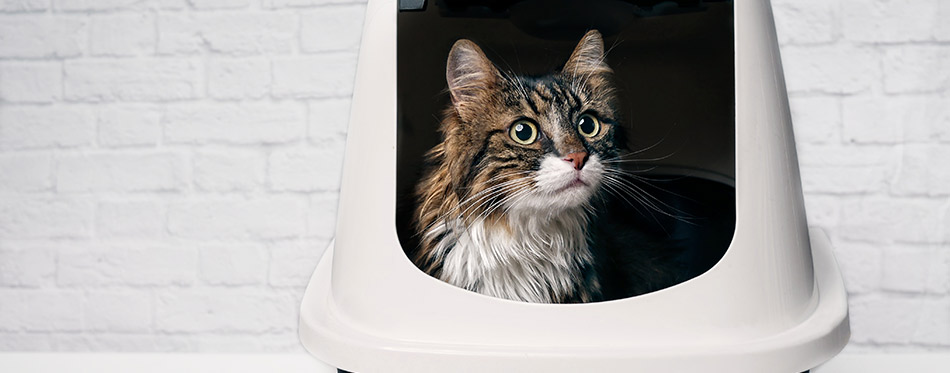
(505, 208)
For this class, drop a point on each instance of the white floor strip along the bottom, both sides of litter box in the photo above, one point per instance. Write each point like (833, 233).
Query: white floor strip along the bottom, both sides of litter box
(285, 363)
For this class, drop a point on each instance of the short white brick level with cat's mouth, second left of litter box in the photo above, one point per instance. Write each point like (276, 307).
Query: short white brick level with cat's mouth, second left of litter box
(229, 171)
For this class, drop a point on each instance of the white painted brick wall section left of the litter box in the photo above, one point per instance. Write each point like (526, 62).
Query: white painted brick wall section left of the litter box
(168, 169)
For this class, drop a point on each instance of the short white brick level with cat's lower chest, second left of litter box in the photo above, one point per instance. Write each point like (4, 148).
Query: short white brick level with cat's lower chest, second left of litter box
(233, 264)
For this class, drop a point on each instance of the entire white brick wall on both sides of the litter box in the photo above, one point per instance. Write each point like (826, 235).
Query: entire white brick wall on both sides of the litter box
(169, 168)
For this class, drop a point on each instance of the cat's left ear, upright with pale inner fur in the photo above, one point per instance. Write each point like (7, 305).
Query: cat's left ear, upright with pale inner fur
(470, 75)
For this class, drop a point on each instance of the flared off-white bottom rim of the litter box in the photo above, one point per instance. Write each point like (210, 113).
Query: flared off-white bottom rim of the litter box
(817, 338)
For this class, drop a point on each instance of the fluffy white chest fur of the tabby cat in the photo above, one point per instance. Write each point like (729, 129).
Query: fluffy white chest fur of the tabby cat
(539, 257)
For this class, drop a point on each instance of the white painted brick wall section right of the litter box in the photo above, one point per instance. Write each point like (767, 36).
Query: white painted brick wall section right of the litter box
(870, 94)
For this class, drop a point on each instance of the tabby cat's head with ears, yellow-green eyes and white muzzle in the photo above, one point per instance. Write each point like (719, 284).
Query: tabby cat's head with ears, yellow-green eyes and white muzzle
(530, 143)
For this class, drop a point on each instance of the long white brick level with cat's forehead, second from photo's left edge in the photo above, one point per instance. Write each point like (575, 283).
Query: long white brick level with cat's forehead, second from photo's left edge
(133, 80)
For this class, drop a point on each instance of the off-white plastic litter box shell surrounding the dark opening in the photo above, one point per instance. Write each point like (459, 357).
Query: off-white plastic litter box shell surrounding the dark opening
(775, 302)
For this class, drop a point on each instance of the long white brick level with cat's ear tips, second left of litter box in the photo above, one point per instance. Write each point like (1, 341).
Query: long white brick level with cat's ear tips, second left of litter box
(234, 34)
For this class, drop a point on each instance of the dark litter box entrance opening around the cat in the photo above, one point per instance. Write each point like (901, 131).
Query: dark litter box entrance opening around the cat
(673, 66)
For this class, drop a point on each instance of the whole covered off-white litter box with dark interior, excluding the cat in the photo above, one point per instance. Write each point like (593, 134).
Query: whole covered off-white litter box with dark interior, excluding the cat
(704, 84)
